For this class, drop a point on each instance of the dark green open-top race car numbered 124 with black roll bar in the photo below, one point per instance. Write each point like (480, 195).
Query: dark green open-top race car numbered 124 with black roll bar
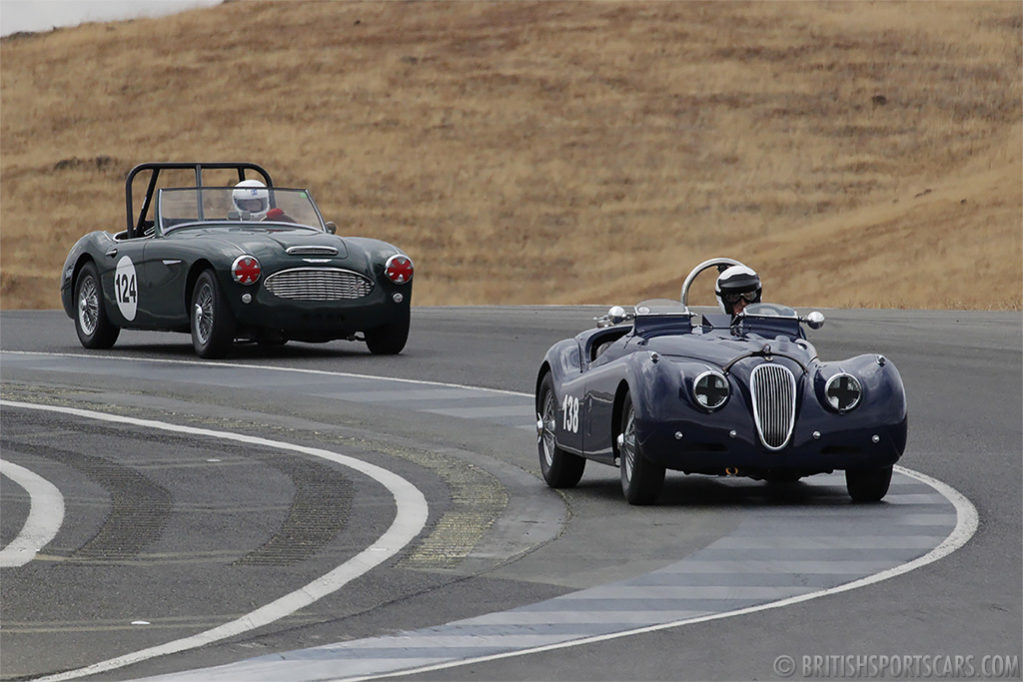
(239, 261)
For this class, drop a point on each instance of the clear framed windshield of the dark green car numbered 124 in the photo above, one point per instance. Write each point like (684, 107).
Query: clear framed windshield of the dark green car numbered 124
(192, 205)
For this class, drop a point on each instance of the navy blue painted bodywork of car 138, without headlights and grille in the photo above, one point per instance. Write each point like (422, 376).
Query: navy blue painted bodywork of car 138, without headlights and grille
(657, 358)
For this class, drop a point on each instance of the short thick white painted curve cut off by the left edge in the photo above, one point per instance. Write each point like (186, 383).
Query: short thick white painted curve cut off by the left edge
(46, 516)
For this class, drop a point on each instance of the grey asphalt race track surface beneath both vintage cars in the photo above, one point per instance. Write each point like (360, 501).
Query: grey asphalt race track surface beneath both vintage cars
(504, 565)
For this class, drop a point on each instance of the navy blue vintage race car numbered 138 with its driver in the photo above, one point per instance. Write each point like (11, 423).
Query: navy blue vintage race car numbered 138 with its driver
(663, 388)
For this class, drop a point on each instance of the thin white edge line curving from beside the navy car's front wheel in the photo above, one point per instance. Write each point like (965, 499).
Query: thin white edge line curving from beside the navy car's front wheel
(966, 527)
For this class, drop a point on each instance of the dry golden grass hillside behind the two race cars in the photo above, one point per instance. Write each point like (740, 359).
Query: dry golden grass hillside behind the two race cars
(859, 155)
